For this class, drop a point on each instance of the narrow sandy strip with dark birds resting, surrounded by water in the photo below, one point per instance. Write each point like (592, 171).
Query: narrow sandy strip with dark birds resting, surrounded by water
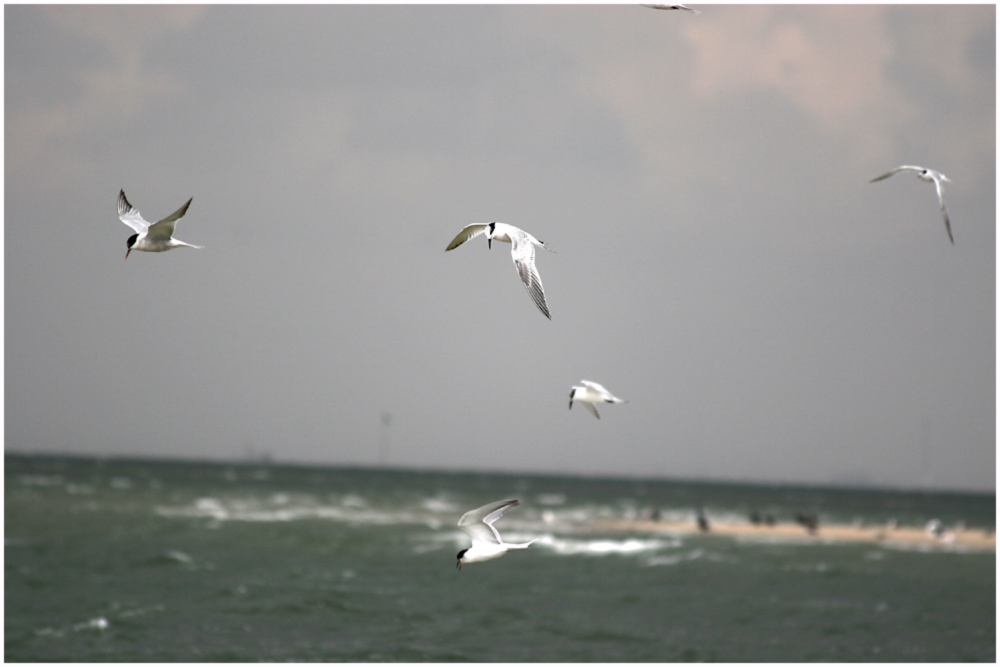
(970, 538)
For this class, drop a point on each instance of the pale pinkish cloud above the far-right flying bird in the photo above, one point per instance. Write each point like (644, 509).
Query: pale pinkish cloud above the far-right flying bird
(864, 74)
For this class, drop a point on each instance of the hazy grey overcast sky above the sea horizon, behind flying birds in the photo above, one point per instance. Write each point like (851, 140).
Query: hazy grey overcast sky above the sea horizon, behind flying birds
(720, 258)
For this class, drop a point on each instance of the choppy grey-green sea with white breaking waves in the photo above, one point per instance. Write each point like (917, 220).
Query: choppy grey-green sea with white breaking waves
(184, 561)
